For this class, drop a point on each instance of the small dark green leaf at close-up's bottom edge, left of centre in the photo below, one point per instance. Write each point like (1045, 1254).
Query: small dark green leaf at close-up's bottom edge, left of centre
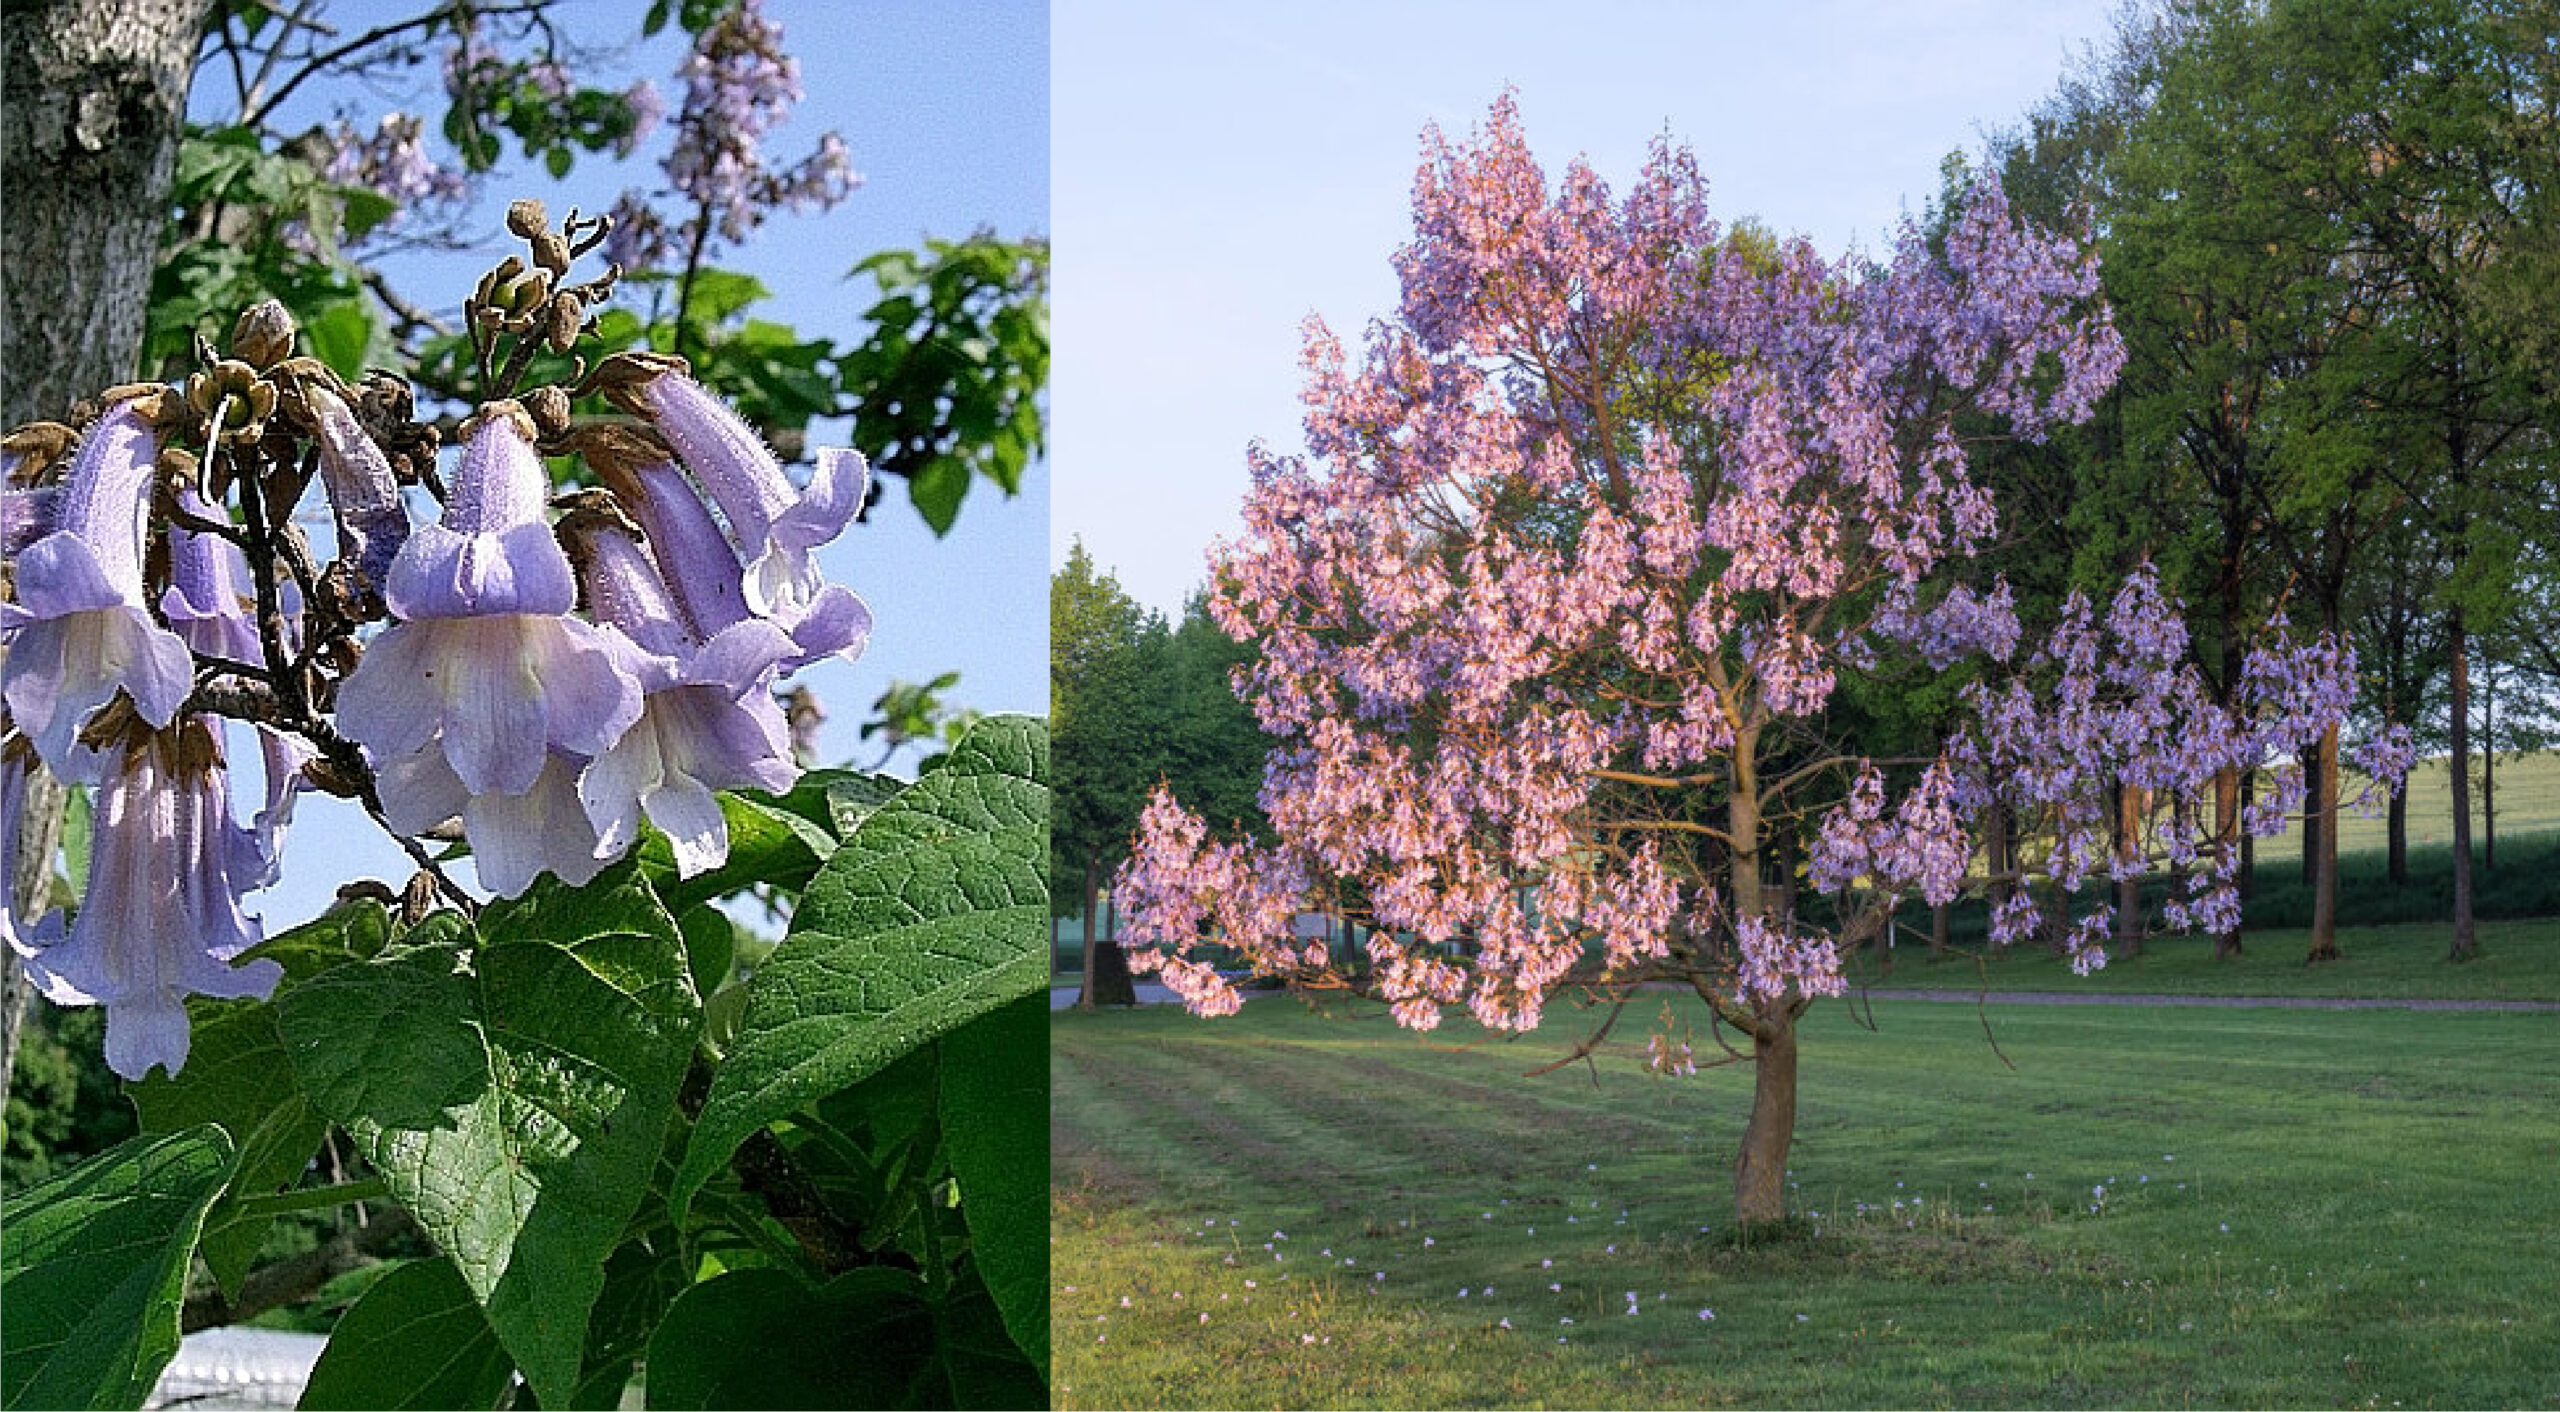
(416, 1339)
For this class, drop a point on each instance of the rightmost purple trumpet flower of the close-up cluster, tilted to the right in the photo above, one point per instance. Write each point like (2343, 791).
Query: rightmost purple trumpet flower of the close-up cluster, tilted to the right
(774, 523)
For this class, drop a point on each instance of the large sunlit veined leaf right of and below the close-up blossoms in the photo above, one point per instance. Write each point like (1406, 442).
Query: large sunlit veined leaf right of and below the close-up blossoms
(933, 914)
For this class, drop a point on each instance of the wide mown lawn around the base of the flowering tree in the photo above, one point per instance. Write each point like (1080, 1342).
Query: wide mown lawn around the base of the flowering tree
(2300, 1209)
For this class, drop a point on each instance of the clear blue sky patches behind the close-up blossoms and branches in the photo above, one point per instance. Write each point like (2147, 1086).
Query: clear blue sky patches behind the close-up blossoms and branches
(946, 114)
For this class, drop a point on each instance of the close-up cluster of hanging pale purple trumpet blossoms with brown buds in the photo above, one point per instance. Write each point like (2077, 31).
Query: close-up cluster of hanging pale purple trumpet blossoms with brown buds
(549, 679)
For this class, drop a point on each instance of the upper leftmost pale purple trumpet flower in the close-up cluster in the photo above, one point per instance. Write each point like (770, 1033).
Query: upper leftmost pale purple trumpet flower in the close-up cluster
(81, 628)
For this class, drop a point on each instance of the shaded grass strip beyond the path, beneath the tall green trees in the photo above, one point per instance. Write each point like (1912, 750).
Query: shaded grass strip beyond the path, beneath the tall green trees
(2520, 961)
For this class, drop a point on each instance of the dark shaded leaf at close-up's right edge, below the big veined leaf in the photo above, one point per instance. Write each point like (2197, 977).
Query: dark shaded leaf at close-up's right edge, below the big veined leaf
(997, 1132)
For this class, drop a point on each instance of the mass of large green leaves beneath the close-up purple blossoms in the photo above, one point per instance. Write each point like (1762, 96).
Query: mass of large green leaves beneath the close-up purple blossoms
(539, 1088)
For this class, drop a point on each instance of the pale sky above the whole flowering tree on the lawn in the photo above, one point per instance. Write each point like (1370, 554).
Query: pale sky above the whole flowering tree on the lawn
(1228, 170)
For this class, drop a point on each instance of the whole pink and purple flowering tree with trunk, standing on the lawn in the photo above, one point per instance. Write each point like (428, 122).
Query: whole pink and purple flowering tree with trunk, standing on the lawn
(1586, 544)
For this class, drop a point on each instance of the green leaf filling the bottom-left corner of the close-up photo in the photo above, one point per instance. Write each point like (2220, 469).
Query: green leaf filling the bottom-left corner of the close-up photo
(93, 1270)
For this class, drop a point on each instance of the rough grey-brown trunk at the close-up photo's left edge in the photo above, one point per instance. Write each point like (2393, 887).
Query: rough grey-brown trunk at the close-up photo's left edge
(91, 109)
